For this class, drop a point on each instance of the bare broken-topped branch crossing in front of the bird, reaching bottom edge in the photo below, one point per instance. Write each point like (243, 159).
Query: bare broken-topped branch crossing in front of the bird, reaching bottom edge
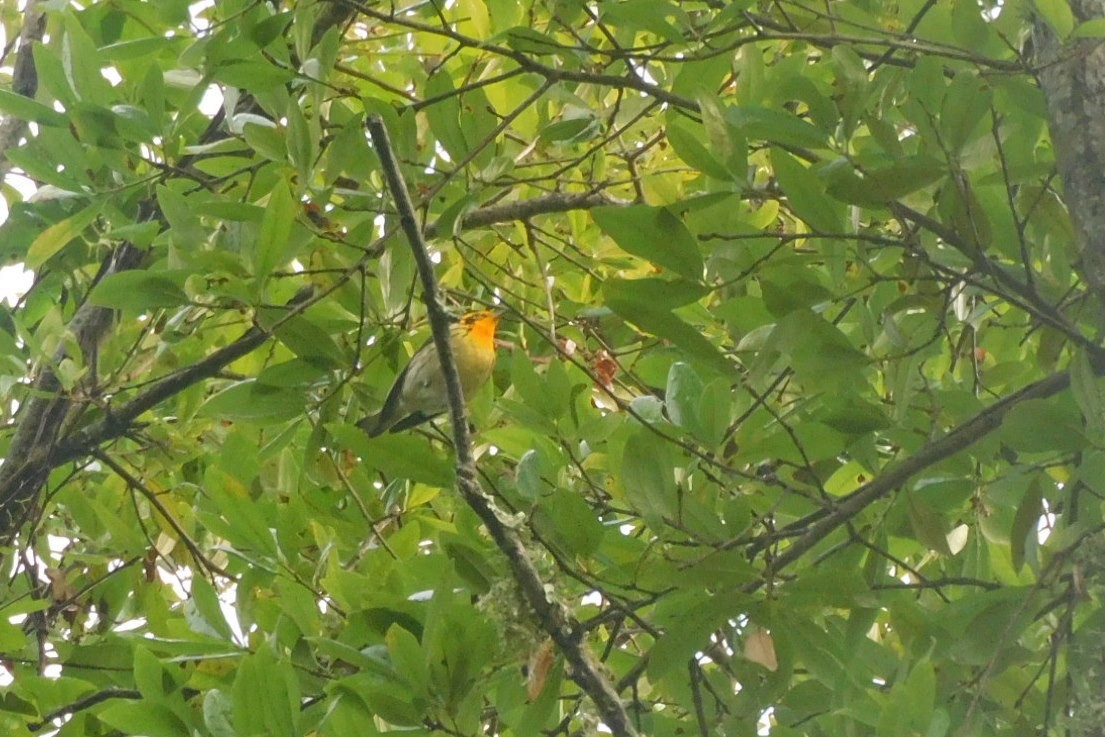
(565, 630)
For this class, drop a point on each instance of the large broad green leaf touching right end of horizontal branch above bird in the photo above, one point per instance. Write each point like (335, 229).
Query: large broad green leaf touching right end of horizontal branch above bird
(657, 235)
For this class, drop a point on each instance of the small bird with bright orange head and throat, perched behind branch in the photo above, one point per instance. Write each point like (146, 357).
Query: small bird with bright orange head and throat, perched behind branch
(419, 393)
